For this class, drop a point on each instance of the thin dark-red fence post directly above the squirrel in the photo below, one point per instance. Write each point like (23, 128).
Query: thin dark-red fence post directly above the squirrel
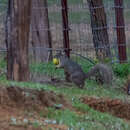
(65, 27)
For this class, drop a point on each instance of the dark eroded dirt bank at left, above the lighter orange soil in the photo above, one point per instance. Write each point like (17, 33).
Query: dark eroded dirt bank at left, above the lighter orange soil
(30, 98)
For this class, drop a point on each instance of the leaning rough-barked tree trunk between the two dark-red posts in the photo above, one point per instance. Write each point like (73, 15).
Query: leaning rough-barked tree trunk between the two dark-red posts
(99, 28)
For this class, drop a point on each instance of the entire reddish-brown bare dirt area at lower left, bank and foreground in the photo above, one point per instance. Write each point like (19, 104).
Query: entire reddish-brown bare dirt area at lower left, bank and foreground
(20, 108)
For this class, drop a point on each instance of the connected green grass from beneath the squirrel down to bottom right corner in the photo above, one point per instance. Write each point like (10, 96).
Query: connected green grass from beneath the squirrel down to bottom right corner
(84, 117)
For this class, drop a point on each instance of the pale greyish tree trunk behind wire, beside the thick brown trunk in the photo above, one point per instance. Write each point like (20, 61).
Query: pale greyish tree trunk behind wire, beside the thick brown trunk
(41, 36)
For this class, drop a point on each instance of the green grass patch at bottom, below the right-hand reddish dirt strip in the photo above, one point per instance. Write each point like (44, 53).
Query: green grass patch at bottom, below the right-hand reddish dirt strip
(87, 118)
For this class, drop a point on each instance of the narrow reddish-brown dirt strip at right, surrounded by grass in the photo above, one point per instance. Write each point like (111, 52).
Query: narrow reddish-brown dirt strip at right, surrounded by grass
(114, 106)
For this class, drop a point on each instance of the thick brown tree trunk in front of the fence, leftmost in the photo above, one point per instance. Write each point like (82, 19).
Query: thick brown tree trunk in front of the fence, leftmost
(17, 37)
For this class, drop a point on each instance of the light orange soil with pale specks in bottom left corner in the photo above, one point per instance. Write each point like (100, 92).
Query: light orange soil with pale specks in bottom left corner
(16, 119)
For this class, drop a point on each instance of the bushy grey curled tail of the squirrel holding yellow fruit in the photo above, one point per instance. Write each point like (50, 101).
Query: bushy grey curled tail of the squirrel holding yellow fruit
(102, 72)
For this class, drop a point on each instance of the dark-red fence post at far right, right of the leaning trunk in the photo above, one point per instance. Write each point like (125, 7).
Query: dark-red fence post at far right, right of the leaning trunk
(120, 29)
